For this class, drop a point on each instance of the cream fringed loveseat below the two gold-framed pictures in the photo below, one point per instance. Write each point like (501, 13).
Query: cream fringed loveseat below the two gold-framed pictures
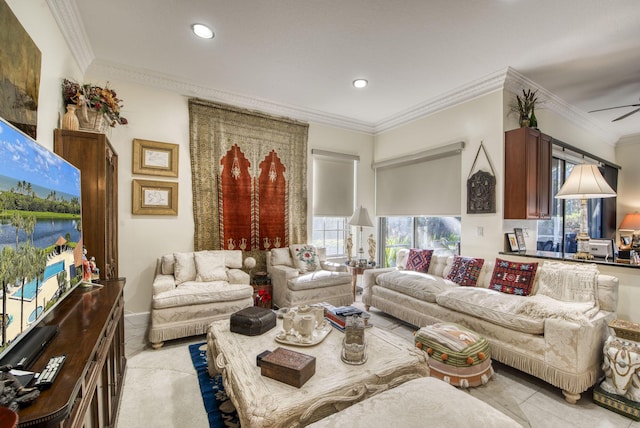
(192, 289)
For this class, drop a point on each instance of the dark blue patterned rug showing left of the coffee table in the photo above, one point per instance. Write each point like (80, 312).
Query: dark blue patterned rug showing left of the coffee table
(220, 409)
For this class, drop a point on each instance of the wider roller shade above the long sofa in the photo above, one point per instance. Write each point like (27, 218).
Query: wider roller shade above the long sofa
(429, 187)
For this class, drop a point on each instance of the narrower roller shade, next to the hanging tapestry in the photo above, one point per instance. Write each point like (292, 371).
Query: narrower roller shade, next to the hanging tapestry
(333, 184)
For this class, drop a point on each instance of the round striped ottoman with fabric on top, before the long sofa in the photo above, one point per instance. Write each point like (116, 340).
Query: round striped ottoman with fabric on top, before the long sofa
(457, 355)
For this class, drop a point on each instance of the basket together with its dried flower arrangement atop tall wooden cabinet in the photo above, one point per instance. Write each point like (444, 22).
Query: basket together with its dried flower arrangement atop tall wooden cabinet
(99, 106)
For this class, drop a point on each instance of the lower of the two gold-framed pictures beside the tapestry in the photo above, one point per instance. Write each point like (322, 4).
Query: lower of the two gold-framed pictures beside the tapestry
(155, 197)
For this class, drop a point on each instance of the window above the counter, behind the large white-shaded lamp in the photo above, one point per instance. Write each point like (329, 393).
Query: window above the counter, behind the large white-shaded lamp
(559, 233)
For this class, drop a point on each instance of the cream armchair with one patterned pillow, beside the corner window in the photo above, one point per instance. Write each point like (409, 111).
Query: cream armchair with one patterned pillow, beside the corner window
(300, 274)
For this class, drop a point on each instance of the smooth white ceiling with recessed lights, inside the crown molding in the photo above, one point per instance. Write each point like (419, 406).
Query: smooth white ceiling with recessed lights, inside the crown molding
(302, 55)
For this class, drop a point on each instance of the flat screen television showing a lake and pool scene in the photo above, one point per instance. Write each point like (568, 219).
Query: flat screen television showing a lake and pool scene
(40, 239)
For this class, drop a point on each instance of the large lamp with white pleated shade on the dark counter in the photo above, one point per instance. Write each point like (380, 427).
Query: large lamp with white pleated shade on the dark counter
(585, 182)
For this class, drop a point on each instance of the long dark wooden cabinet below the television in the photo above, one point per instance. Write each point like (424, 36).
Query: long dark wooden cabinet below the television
(87, 390)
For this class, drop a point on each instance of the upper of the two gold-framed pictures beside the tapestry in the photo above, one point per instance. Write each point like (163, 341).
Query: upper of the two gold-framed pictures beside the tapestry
(155, 158)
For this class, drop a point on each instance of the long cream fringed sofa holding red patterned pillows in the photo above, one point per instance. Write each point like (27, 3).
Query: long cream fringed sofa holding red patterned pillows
(552, 338)
